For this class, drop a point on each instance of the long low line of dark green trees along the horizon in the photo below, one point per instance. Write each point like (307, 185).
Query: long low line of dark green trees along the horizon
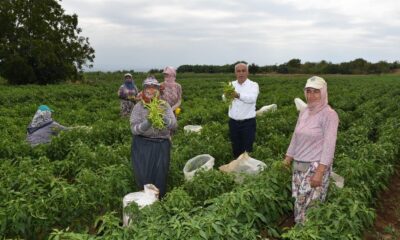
(295, 66)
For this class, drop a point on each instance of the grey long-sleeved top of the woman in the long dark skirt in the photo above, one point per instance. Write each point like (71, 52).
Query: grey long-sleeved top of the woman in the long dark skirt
(139, 116)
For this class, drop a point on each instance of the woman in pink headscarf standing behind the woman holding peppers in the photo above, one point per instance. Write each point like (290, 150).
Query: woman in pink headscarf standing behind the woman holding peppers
(171, 91)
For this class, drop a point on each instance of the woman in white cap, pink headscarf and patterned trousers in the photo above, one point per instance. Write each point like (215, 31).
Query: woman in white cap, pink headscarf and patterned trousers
(312, 148)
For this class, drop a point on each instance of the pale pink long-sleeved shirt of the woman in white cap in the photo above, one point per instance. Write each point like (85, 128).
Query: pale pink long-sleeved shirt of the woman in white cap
(315, 141)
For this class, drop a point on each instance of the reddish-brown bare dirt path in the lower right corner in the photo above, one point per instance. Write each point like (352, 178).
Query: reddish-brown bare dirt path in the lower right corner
(387, 223)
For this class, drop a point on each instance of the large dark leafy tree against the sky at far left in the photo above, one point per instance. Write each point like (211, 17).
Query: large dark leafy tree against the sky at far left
(39, 43)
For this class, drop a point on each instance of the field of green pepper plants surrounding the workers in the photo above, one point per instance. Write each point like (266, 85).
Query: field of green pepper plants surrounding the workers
(72, 188)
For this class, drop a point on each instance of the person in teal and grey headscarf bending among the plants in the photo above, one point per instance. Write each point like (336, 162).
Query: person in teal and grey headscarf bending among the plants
(43, 127)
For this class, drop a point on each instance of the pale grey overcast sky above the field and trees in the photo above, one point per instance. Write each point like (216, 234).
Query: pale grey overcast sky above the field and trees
(143, 34)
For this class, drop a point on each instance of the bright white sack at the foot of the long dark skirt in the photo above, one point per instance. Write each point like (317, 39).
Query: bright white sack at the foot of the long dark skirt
(143, 198)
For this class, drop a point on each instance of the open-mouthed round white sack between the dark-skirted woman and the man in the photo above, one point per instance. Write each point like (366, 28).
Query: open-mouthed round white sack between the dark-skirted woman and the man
(203, 161)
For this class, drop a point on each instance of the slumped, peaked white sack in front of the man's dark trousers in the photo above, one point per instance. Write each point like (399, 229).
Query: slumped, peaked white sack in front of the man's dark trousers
(244, 164)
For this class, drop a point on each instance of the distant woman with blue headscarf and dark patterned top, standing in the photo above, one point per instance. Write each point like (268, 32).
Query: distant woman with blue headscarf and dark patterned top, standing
(127, 92)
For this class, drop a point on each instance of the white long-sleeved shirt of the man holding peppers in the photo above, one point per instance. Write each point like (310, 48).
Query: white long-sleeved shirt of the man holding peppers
(244, 107)
